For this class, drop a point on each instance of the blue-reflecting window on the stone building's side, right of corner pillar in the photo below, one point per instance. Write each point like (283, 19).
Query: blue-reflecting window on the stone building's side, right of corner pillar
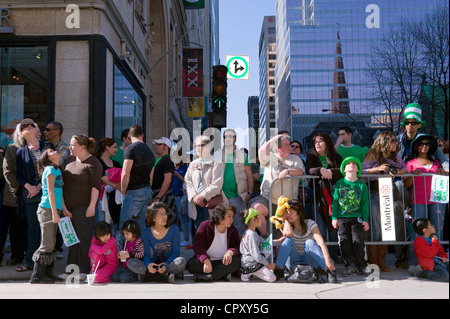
(128, 105)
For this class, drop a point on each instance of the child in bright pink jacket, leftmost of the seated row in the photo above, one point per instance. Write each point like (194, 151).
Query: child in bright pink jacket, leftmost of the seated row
(103, 252)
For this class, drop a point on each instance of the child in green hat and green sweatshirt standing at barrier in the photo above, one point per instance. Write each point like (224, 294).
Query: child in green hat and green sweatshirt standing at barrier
(350, 215)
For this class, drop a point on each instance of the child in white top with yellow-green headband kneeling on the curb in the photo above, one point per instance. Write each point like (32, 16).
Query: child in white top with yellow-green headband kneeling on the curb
(252, 260)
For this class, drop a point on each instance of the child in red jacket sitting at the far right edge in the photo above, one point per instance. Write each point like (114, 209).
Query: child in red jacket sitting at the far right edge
(432, 258)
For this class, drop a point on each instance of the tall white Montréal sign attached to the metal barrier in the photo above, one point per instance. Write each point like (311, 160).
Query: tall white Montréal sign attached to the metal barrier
(387, 208)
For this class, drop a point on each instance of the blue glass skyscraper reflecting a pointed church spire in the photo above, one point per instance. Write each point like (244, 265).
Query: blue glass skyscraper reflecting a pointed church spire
(323, 51)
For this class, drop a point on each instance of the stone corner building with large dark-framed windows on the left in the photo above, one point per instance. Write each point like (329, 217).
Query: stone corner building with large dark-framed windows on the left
(99, 66)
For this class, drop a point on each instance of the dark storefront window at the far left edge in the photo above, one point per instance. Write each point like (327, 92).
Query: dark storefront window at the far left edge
(23, 87)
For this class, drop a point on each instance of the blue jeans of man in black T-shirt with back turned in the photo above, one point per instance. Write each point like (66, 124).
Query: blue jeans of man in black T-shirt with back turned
(135, 202)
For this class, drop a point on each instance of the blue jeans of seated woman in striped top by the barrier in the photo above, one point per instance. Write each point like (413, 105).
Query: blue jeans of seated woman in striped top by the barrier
(288, 254)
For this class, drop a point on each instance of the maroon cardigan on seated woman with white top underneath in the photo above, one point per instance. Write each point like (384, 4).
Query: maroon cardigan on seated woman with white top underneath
(205, 236)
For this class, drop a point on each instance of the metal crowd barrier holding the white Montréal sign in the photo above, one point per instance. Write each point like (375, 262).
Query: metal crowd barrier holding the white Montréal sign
(402, 212)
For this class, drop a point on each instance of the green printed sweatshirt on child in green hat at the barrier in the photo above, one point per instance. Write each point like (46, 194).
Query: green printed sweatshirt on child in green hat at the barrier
(350, 199)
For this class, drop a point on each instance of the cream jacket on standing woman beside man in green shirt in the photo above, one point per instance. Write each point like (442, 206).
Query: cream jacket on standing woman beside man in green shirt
(211, 175)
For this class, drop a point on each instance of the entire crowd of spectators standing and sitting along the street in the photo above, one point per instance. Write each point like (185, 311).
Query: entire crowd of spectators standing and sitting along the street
(129, 208)
